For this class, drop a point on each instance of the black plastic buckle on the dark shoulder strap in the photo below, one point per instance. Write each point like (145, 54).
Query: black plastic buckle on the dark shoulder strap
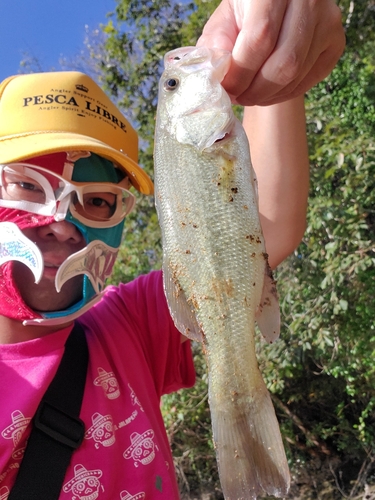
(59, 425)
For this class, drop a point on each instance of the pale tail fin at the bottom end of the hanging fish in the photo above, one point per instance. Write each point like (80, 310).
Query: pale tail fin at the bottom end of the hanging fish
(249, 449)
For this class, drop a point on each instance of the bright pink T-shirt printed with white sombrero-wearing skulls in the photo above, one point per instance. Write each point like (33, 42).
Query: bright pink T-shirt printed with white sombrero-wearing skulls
(135, 356)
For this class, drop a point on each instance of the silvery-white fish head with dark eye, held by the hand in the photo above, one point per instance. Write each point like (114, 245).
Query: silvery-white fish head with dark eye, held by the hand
(193, 107)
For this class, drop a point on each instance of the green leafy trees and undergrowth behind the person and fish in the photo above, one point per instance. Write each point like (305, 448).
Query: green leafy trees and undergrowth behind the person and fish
(321, 372)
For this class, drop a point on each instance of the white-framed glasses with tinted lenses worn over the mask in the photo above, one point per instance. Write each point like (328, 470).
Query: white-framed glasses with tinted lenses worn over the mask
(28, 187)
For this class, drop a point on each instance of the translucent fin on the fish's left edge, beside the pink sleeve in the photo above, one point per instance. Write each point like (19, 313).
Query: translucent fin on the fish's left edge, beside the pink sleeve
(181, 311)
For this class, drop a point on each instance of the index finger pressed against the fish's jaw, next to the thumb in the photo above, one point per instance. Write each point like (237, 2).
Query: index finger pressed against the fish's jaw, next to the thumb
(259, 25)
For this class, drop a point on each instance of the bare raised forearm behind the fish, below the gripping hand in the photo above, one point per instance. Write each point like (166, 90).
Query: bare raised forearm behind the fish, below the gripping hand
(278, 145)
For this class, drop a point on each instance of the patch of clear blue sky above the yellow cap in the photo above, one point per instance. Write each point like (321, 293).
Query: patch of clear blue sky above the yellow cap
(46, 30)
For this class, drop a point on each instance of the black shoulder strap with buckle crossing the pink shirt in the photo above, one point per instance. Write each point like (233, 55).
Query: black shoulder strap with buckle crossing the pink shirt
(57, 429)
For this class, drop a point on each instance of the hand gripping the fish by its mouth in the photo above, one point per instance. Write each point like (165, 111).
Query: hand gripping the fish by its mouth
(280, 48)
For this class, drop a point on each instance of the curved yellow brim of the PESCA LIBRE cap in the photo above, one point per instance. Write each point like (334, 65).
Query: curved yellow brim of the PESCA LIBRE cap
(20, 147)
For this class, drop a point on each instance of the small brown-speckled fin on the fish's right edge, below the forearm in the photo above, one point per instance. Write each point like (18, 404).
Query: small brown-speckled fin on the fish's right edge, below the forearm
(268, 313)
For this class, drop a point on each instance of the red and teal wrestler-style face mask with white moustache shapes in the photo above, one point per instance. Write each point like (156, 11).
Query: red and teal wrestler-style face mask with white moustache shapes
(87, 191)
